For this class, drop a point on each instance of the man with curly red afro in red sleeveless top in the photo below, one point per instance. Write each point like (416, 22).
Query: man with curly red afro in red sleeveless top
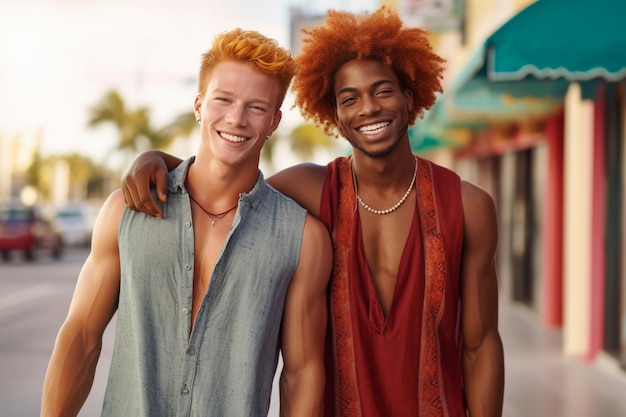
(413, 295)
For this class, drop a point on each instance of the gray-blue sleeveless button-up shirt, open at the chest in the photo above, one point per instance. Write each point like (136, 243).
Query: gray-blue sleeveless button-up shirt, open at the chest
(226, 365)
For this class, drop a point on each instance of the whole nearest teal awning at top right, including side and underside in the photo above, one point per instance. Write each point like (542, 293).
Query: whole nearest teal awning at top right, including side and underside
(547, 45)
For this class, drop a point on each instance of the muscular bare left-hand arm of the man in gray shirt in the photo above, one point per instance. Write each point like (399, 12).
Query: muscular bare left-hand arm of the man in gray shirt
(77, 348)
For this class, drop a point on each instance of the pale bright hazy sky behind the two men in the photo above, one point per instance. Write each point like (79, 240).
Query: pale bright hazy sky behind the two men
(59, 57)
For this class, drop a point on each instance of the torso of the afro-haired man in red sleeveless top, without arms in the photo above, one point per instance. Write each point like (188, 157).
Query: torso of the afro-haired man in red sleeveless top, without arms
(376, 357)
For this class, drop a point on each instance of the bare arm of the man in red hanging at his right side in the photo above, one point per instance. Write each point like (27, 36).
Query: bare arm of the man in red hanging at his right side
(483, 357)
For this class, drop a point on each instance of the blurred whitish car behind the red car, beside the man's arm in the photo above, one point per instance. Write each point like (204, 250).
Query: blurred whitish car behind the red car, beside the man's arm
(75, 223)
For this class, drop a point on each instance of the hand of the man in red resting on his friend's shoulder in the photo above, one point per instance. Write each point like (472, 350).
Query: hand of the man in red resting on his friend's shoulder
(150, 167)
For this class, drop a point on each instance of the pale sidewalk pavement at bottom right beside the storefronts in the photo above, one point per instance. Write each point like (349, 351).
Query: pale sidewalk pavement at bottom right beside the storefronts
(541, 382)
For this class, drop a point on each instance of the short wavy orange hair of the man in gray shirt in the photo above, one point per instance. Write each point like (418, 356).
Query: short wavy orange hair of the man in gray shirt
(249, 47)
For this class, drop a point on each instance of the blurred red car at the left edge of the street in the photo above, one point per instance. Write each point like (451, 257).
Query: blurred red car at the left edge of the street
(22, 228)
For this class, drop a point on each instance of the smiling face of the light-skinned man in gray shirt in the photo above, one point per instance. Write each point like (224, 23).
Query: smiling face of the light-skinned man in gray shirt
(238, 110)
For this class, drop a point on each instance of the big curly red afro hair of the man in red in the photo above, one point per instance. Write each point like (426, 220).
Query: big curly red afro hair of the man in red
(378, 35)
